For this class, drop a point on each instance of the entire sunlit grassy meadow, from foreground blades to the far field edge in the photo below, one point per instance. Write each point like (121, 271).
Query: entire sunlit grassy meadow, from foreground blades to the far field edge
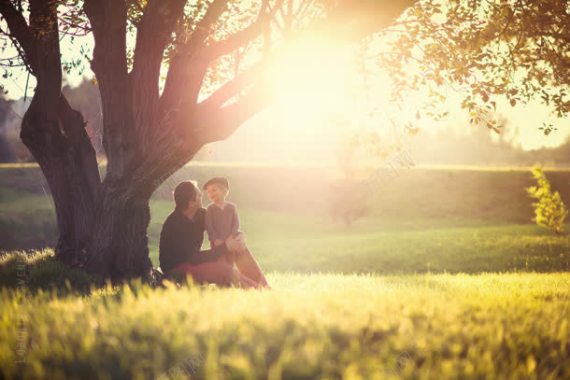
(446, 277)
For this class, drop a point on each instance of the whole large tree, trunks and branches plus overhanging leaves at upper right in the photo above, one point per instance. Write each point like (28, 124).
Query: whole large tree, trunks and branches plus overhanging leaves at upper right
(214, 52)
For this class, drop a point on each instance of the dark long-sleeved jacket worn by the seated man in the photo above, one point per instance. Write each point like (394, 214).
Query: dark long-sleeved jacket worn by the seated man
(181, 239)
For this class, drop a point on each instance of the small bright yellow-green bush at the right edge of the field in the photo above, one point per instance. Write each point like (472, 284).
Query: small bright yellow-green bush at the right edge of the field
(549, 209)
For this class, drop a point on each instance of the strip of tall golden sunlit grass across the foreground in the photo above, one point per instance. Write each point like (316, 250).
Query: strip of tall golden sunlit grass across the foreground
(309, 326)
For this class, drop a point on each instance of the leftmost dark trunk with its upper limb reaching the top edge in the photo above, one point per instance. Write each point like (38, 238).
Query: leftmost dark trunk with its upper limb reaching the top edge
(55, 134)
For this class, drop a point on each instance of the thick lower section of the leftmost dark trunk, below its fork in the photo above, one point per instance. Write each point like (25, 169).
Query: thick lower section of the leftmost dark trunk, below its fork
(57, 140)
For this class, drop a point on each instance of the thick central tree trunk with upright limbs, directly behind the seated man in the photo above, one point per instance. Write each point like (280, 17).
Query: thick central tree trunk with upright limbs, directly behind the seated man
(130, 102)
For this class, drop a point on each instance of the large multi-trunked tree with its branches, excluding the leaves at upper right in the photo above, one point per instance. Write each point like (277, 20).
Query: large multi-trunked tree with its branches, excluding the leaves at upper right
(147, 134)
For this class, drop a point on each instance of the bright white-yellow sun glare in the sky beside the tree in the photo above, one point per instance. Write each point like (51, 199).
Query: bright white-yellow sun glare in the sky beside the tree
(321, 95)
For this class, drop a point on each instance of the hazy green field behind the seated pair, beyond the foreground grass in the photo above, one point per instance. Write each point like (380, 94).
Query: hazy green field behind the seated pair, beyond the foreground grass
(426, 220)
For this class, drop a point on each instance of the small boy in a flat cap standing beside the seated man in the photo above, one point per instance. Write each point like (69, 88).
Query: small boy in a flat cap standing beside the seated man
(222, 222)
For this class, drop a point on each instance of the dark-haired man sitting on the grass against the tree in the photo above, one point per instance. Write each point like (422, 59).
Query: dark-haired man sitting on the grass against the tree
(181, 239)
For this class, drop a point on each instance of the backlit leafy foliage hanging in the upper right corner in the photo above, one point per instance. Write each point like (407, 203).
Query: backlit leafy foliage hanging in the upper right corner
(517, 49)
